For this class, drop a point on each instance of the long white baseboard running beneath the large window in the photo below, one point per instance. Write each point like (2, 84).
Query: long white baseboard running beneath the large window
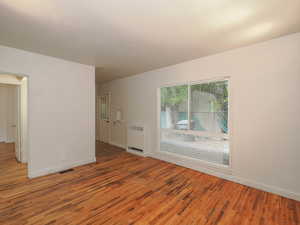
(231, 177)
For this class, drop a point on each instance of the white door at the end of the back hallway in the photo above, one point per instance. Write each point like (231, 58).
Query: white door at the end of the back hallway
(104, 121)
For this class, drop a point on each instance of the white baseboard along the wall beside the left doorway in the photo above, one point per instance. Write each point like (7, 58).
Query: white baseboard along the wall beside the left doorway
(46, 171)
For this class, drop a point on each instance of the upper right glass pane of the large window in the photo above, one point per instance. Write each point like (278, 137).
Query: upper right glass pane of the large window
(209, 107)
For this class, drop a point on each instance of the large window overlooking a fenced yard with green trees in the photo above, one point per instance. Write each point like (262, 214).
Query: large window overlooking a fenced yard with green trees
(194, 121)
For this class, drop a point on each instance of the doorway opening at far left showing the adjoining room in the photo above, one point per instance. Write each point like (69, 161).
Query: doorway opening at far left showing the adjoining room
(13, 123)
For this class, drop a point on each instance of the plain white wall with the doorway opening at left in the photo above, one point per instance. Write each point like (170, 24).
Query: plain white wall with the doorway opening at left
(61, 109)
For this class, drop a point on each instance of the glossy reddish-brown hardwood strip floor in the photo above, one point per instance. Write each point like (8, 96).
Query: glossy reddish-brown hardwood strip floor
(123, 189)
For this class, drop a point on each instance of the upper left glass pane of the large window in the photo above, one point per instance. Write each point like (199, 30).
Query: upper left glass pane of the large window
(174, 107)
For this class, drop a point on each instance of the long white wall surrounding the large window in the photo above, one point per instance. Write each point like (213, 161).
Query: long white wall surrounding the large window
(265, 109)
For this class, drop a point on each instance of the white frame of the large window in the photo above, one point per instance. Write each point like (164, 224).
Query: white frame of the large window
(205, 164)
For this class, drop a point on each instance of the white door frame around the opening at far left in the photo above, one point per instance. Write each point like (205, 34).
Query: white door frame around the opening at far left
(22, 123)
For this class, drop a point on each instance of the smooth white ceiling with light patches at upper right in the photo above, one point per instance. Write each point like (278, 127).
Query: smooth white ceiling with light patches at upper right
(124, 38)
